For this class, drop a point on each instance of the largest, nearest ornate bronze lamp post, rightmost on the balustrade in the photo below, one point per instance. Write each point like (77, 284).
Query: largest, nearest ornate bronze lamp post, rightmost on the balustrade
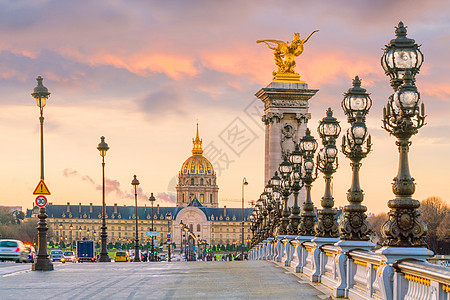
(402, 118)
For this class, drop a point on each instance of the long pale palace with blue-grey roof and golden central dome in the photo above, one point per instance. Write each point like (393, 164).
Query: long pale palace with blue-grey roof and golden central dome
(197, 207)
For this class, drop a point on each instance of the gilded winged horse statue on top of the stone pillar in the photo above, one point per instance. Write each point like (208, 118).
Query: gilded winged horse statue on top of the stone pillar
(284, 55)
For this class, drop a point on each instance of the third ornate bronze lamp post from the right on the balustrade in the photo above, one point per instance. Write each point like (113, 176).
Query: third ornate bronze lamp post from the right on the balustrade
(327, 163)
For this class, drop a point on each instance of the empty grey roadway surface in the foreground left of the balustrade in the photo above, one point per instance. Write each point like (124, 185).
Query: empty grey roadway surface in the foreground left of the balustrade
(159, 280)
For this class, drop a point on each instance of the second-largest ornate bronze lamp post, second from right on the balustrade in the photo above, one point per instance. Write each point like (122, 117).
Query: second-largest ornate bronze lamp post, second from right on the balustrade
(356, 144)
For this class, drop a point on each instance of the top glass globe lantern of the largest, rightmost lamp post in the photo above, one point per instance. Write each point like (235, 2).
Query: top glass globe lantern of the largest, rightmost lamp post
(401, 54)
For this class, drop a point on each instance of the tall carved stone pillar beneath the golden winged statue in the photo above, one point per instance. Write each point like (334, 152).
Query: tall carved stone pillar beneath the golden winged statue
(285, 117)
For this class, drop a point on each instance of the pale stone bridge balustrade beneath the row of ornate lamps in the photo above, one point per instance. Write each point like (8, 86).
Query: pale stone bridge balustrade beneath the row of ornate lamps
(356, 273)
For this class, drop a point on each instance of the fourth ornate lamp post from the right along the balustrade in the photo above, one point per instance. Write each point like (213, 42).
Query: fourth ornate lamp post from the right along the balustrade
(308, 146)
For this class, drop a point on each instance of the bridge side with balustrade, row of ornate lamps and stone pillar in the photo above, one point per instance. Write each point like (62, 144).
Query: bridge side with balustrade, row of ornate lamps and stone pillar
(340, 256)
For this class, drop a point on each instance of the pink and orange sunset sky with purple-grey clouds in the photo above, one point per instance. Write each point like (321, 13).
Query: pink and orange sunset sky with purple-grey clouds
(142, 72)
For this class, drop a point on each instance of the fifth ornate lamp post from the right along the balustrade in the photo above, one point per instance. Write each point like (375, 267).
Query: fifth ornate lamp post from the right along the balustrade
(294, 219)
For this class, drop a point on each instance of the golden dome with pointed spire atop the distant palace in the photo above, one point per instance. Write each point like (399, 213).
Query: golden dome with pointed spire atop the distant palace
(197, 164)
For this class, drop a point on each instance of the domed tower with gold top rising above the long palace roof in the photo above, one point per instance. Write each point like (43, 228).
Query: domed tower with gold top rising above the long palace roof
(197, 179)
